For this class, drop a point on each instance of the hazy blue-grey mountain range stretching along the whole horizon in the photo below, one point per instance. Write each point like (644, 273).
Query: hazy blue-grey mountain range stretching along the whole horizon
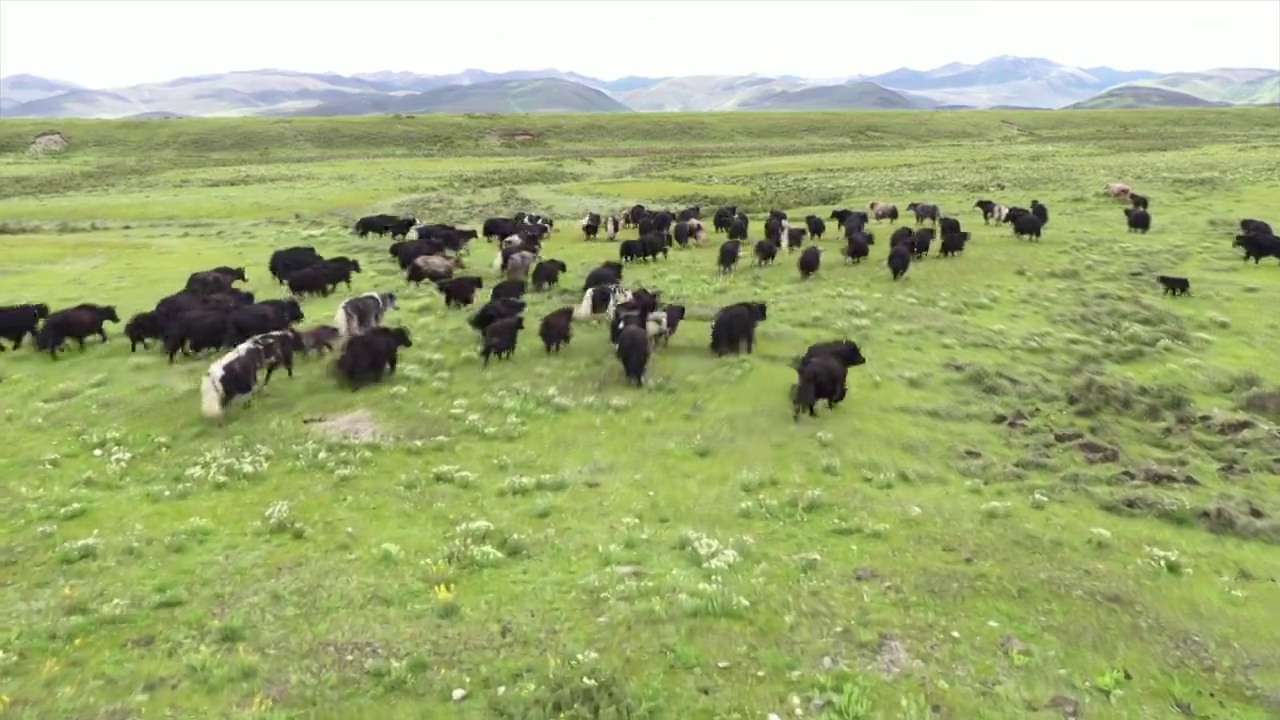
(1000, 83)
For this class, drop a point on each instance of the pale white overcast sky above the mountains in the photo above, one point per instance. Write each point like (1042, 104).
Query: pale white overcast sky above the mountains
(117, 43)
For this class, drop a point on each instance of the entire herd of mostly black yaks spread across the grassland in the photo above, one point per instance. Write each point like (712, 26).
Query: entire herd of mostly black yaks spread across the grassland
(211, 315)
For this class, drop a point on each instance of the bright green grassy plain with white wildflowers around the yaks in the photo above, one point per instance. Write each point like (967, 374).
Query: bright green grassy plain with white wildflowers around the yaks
(1053, 491)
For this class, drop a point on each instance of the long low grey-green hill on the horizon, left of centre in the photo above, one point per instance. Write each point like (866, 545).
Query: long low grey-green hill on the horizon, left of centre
(497, 97)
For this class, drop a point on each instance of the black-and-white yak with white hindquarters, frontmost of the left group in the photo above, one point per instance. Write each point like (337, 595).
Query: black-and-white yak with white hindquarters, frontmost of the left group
(236, 373)
